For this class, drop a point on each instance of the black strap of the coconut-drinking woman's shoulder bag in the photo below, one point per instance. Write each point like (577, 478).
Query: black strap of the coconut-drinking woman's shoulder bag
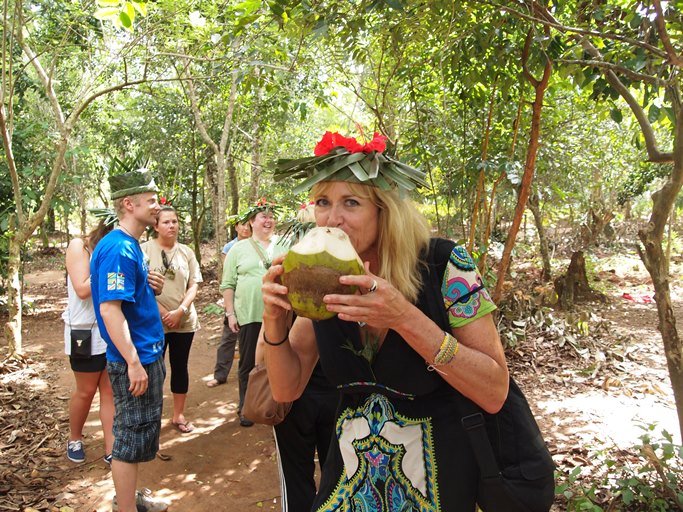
(473, 420)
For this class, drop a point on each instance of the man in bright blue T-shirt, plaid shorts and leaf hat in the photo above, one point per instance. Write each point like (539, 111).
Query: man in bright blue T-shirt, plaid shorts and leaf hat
(123, 292)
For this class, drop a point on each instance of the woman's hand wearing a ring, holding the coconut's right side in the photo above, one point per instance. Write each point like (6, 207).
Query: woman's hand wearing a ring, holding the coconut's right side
(378, 304)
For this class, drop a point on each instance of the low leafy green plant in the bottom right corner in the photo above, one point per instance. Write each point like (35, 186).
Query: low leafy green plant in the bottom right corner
(651, 480)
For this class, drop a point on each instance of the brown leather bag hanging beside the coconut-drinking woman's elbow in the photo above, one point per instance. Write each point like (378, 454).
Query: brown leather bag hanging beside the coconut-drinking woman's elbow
(259, 405)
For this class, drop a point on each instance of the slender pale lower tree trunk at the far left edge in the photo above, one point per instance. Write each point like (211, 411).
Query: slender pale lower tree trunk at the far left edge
(14, 302)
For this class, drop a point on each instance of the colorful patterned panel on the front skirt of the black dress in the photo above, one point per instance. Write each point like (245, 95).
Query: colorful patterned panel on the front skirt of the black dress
(388, 461)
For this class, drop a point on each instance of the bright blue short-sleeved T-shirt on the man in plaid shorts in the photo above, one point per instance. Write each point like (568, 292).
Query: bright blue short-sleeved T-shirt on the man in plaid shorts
(119, 272)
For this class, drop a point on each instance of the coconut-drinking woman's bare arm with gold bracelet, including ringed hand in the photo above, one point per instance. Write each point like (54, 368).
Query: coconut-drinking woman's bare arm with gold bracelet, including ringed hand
(478, 370)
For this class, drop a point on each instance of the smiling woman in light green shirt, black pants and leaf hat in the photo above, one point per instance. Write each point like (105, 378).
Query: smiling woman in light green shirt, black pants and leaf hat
(244, 267)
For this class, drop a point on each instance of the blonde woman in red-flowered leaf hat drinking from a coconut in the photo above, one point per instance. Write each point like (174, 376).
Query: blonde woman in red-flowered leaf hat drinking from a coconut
(418, 332)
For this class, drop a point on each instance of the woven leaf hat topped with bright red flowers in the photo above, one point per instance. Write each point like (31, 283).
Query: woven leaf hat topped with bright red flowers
(339, 158)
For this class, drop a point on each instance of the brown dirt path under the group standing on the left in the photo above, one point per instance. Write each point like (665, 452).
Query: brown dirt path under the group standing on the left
(218, 467)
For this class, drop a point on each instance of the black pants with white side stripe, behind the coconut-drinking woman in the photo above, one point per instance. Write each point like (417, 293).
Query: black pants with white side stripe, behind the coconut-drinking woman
(308, 427)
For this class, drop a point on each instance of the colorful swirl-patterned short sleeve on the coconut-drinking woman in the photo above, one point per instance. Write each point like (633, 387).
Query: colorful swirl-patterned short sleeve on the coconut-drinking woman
(465, 296)
